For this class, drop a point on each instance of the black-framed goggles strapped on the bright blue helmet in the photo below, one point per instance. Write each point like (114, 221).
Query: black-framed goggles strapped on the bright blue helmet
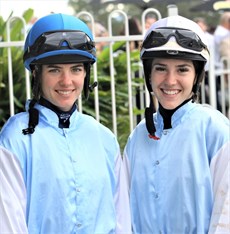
(51, 41)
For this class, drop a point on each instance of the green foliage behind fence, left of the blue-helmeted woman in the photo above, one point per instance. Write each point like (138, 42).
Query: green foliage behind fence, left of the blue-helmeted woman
(18, 71)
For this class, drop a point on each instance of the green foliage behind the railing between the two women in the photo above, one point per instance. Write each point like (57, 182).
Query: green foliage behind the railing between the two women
(121, 87)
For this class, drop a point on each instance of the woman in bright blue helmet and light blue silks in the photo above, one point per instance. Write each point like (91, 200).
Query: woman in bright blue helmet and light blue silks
(70, 164)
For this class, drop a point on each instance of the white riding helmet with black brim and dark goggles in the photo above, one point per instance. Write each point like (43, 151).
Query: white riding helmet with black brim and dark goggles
(177, 37)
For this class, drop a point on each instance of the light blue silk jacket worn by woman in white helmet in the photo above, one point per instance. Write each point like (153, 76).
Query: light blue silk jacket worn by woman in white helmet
(180, 183)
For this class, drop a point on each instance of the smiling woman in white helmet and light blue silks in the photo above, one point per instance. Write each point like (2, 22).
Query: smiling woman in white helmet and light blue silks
(178, 158)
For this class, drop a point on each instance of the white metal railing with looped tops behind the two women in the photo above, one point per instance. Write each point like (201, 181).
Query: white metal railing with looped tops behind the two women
(224, 73)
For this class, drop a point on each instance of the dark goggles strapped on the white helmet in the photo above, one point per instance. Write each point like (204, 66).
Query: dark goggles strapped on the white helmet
(185, 38)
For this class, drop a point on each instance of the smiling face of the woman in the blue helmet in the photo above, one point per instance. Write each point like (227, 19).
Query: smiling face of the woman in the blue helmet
(62, 84)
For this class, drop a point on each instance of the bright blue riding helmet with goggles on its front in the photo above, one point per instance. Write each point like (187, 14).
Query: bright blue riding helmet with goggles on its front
(59, 38)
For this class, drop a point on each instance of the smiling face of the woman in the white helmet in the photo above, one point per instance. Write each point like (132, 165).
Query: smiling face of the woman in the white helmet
(172, 81)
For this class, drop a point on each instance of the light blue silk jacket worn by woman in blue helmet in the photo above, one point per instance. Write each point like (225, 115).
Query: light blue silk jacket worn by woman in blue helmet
(73, 177)
